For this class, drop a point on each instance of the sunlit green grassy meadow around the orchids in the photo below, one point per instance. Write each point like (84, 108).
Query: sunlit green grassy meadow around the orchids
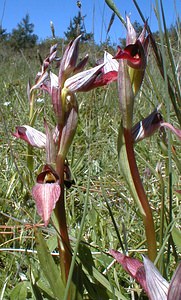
(100, 196)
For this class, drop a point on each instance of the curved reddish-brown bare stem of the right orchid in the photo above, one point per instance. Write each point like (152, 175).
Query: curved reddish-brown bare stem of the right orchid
(147, 216)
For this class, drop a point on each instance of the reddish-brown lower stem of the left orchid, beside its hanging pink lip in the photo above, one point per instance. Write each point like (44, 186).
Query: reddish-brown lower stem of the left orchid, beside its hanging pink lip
(64, 245)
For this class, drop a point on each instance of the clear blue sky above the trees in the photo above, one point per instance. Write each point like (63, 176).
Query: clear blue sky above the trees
(41, 12)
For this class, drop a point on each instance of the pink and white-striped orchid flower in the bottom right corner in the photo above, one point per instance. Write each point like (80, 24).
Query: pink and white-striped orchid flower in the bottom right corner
(146, 274)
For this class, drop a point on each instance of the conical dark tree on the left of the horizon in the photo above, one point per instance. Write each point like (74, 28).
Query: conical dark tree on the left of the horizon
(22, 37)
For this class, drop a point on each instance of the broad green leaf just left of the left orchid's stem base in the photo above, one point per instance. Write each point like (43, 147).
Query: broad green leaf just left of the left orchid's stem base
(49, 267)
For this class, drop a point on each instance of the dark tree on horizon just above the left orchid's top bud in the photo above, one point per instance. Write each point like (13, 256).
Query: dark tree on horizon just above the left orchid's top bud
(76, 28)
